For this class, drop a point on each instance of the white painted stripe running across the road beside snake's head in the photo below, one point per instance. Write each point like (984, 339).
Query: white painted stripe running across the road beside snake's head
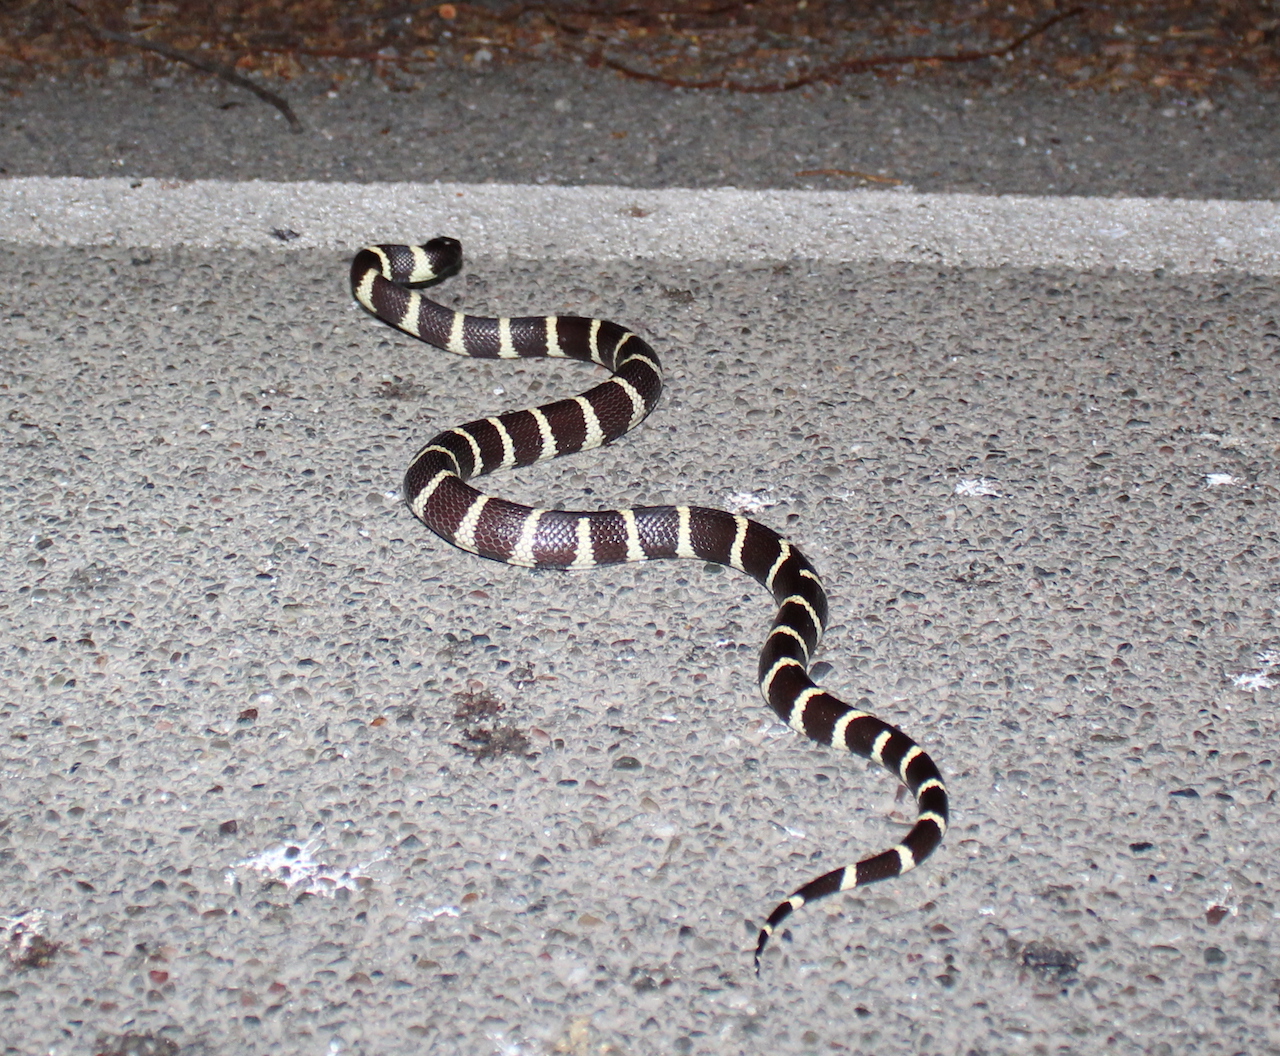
(609, 223)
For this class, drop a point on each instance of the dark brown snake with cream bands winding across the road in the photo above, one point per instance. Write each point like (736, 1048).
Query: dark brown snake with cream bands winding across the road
(437, 493)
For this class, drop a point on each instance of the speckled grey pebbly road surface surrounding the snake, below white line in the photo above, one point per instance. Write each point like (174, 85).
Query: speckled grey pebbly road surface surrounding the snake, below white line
(243, 689)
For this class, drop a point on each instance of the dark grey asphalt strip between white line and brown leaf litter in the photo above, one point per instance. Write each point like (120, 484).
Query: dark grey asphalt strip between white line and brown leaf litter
(572, 126)
